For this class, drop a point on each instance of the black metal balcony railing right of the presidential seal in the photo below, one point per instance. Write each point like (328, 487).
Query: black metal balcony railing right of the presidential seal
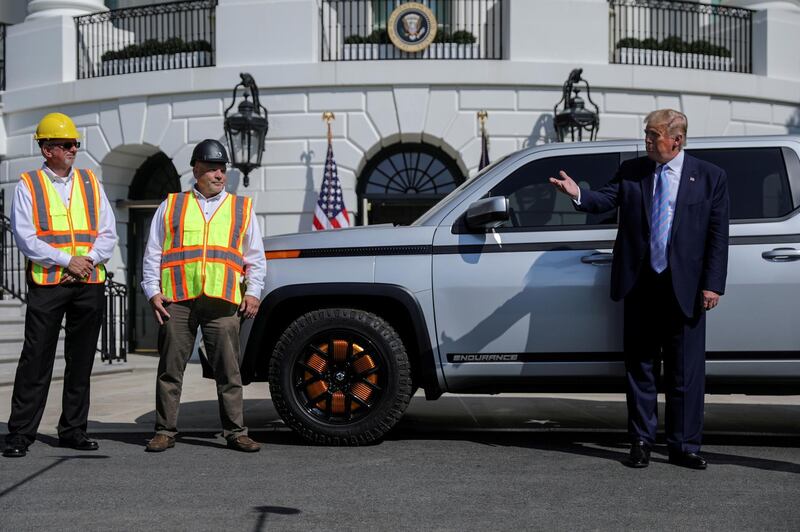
(681, 34)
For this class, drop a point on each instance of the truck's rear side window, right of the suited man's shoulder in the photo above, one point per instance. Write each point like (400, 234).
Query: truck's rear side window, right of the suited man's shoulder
(758, 183)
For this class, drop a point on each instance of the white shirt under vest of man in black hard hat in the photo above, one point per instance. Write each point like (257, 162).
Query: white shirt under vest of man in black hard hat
(252, 248)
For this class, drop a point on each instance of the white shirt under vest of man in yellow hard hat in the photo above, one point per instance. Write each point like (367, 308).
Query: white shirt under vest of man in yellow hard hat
(43, 253)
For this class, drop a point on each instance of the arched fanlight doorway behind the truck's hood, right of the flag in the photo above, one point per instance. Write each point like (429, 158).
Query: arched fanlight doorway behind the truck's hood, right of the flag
(403, 181)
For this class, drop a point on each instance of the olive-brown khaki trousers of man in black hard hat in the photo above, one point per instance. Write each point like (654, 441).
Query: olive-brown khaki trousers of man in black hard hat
(219, 322)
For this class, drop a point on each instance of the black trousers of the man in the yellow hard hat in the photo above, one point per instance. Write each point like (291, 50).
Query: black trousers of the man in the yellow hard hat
(47, 305)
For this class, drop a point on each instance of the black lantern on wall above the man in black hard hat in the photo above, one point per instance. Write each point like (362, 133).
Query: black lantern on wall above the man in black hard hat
(247, 128)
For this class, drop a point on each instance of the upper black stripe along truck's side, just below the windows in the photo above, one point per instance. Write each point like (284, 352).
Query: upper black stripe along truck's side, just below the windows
(369, 251)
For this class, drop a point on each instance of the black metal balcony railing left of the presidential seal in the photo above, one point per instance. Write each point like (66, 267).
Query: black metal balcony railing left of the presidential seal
(145, 39)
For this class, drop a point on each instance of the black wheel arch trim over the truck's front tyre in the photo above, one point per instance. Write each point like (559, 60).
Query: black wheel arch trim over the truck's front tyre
(393, 303)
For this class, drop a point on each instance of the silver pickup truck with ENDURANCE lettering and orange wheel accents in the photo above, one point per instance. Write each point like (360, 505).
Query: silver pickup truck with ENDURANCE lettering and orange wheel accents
(504, 287)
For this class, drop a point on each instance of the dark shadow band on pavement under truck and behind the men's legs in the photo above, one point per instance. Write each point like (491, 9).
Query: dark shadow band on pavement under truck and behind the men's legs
(593, 428)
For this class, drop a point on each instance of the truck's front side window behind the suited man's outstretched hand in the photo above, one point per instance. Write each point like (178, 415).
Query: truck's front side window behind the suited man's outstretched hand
(535, 203)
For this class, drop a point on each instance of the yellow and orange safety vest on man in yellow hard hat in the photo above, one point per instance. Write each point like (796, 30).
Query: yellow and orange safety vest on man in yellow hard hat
(72, 229)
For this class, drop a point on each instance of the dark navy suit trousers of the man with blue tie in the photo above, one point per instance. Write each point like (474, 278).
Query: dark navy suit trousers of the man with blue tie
(657, 330)
